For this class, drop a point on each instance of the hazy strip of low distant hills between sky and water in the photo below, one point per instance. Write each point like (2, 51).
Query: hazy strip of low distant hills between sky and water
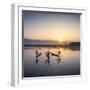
(34, 42)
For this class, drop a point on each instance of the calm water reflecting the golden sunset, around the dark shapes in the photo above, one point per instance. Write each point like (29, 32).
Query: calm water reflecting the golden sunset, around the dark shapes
(68, 63)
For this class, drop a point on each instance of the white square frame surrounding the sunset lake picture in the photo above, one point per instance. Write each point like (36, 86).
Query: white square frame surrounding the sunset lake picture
(16, 63)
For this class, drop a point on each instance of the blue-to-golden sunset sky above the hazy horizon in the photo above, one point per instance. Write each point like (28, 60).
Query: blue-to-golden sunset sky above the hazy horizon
(58, 26)
